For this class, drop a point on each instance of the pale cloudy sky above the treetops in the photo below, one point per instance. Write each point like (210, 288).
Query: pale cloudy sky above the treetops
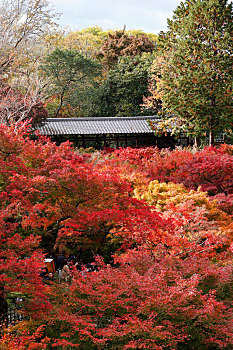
(148, 15)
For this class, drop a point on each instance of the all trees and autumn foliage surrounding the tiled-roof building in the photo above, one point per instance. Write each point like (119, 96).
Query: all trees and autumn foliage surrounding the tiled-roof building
(121, 248)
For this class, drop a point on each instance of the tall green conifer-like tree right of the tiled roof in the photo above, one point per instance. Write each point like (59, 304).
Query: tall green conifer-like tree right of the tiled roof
(194, 67)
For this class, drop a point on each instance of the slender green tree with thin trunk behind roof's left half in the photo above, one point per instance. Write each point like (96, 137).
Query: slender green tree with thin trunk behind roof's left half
(70, 73)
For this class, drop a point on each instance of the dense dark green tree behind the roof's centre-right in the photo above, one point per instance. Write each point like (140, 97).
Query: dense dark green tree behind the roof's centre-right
(121, 94)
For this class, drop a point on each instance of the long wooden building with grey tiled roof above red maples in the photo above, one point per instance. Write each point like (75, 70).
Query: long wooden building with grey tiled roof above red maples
(112, 132)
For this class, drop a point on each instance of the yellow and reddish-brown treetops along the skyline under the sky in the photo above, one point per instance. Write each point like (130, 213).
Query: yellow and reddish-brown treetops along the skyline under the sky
(94, 42)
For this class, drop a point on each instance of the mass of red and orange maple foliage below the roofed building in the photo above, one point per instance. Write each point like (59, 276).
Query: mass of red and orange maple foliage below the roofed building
(157, 226)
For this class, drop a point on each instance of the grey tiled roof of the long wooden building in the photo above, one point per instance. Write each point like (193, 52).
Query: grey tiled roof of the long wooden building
(91, 126)
